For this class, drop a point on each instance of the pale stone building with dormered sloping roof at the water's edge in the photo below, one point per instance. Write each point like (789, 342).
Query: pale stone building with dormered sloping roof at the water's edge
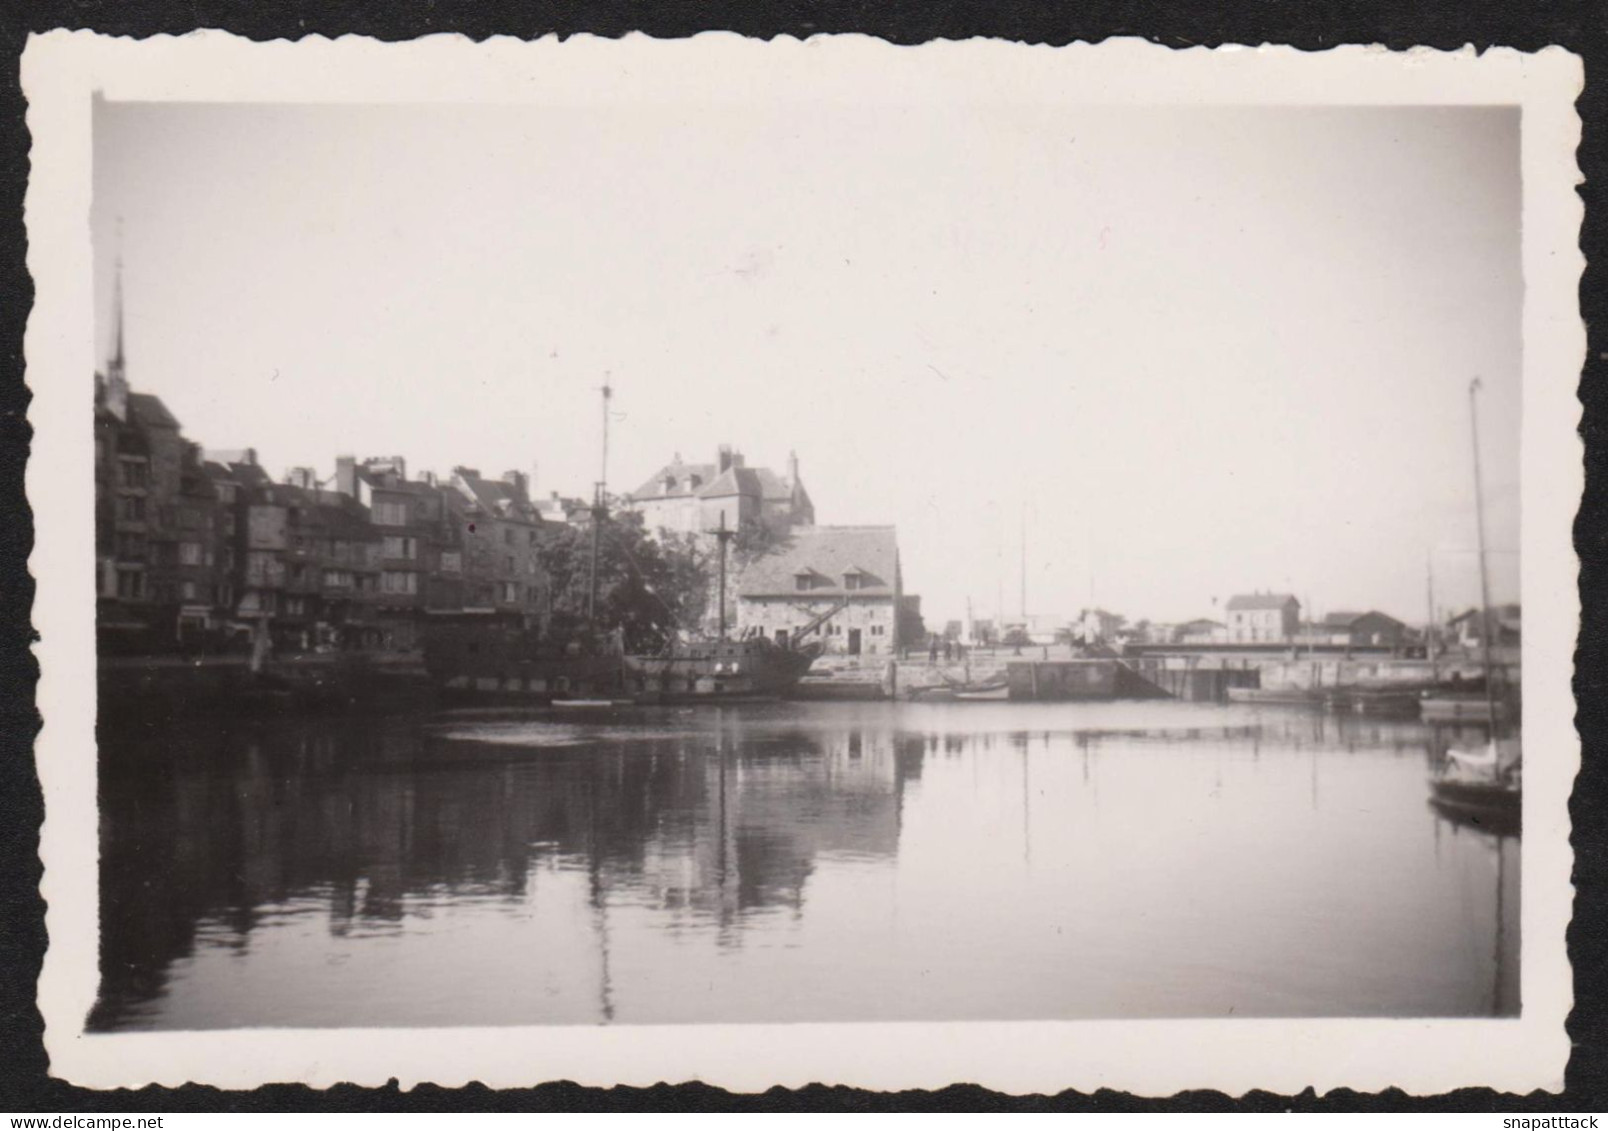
(850, 575)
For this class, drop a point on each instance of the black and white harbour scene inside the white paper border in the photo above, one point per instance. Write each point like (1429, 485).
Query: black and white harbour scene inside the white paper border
(715, 561)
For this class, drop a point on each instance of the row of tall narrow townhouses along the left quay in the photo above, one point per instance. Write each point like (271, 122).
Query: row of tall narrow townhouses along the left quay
(197, 549)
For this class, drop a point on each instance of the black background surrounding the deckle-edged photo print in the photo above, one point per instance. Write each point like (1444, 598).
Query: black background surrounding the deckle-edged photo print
(1581, 28)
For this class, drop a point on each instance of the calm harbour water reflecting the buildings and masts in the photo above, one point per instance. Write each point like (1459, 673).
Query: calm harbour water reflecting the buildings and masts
(795, 863)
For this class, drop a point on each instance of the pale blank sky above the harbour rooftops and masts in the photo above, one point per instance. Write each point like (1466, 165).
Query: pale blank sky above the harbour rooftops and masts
(1200, 352)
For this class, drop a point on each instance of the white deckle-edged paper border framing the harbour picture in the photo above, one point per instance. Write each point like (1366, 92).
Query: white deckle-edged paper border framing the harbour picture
(62, 72)
